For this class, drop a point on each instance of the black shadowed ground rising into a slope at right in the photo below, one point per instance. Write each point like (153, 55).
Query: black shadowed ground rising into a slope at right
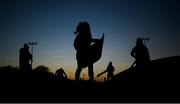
(159, 82)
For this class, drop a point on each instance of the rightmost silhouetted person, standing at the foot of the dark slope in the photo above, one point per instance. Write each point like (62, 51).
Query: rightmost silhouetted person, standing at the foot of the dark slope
(141, 54)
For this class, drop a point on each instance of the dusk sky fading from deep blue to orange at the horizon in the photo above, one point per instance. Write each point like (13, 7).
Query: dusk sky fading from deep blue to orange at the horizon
(51, 23)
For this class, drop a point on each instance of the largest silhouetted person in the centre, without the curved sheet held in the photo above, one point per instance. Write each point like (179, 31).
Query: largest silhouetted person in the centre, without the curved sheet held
(82, 45)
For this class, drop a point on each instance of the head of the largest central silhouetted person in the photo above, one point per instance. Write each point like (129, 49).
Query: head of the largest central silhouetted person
(83, 27)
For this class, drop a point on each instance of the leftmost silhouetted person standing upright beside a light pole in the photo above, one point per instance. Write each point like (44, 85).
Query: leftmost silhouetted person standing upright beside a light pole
(24, 58)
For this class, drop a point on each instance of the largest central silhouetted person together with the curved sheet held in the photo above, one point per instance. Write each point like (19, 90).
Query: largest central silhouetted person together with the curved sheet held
(87, 53)
